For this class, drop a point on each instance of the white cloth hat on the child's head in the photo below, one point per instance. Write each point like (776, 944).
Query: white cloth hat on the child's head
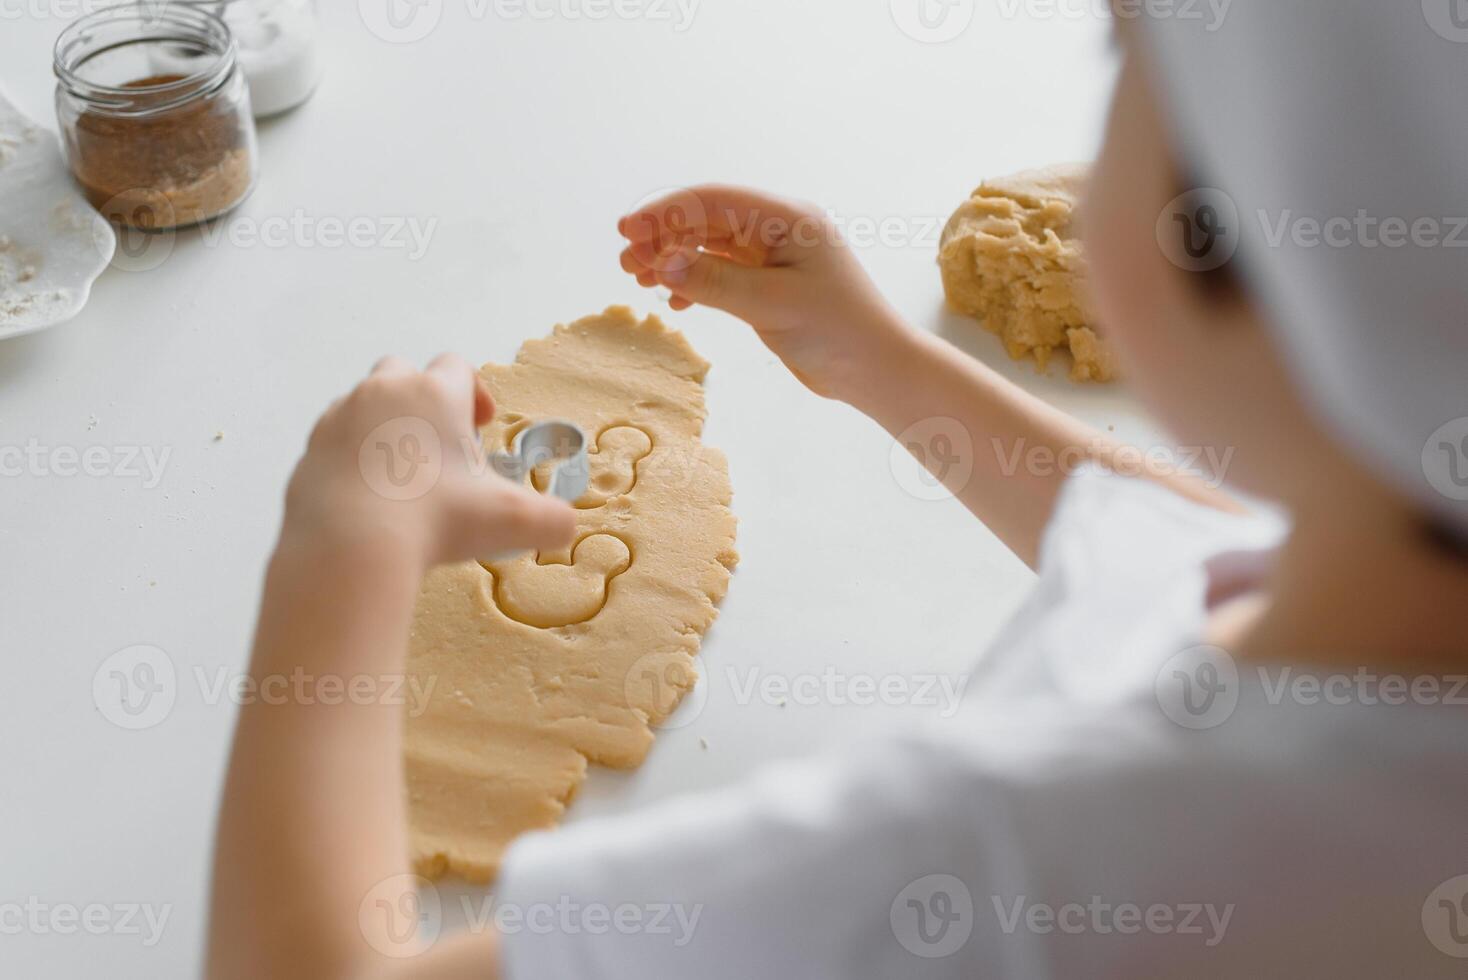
(1359, 111)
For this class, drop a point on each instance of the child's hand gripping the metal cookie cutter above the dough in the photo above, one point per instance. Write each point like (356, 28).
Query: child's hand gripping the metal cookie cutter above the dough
(399, 461)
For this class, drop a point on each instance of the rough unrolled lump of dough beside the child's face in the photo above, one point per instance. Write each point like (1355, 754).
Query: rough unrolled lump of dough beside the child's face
(1011, 257)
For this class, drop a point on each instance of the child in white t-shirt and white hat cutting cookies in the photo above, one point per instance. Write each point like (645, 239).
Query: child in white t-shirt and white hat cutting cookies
(1204, 749)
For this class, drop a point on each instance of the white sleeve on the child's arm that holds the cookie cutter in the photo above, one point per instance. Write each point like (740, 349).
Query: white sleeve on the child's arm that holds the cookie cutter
(864, 866)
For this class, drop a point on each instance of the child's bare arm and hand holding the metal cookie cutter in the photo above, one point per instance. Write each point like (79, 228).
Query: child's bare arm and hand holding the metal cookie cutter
(313, 825)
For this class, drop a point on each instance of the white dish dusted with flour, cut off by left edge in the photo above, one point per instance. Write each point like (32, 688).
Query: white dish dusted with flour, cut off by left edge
(54, 244)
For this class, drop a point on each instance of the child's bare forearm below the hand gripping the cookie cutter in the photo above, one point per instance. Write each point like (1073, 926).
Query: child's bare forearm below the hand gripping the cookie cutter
(313, 813)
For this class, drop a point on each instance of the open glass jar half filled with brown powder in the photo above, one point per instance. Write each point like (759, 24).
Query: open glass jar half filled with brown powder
(155, 150)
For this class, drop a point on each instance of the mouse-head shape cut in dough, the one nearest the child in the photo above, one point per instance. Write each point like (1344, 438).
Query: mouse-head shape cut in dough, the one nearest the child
(560, 593)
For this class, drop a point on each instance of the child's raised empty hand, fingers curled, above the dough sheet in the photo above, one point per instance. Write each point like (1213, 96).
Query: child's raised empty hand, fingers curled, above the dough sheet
(779, 266)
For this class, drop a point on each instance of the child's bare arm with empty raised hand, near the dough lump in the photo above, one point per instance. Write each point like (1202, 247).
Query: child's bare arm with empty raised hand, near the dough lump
(783, 269)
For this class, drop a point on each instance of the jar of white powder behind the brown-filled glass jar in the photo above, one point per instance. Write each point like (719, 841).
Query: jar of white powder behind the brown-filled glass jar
(278, 51)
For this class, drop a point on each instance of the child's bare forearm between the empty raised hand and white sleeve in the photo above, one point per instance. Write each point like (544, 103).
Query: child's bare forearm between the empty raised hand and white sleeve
(917, 378)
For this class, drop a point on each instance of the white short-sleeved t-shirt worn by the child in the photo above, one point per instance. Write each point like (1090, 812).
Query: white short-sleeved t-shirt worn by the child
(1113, 802)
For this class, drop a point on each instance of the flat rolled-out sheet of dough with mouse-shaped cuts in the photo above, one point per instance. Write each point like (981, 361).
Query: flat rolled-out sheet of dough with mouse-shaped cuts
(542, 664)
